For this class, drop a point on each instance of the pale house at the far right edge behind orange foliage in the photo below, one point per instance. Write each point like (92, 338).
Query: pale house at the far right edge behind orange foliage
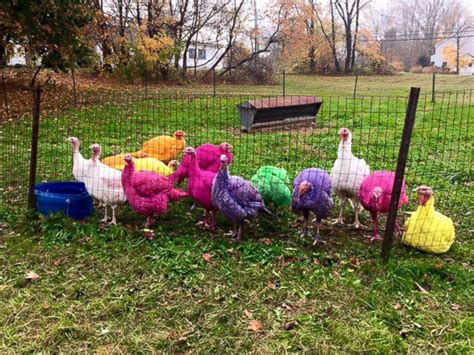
(466, 51)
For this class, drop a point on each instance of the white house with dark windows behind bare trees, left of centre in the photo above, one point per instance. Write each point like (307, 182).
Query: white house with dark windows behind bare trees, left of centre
(202, 55)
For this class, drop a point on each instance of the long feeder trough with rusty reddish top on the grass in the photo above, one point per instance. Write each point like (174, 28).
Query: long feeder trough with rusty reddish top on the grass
(278, 112)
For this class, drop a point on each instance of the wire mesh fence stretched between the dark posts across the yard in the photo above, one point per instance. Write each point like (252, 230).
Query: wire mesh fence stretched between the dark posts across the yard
(440, 154)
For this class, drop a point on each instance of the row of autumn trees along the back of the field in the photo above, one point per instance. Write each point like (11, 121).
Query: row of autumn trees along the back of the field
(155, 37)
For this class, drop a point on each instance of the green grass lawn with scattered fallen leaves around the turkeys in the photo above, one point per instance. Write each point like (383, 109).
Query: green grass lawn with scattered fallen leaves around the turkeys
(107, 289)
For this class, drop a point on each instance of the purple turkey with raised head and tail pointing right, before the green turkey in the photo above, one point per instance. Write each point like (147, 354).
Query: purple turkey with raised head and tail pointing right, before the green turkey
(236, 198)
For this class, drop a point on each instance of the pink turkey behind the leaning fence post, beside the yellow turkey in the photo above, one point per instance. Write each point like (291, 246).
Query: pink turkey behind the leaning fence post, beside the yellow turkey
(375, 194)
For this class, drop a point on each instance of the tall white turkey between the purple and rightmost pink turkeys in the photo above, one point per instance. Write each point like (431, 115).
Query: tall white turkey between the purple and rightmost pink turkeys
(347, 175)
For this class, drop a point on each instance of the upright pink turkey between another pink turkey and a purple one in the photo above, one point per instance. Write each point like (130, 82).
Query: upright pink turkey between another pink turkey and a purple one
(200, 185)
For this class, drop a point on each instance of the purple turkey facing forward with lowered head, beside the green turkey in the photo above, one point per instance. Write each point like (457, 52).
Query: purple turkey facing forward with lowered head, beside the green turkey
(312, 193)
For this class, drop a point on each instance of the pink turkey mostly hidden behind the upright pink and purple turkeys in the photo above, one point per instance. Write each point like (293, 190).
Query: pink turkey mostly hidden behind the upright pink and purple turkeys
(208, 158)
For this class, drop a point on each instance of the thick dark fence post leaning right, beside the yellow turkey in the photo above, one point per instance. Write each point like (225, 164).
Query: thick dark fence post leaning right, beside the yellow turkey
(400, 172)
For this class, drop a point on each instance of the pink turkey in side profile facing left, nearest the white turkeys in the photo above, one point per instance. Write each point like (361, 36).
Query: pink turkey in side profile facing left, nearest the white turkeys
(148, 193)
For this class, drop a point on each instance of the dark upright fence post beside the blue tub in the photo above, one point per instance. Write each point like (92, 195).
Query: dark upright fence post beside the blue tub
(36, 90)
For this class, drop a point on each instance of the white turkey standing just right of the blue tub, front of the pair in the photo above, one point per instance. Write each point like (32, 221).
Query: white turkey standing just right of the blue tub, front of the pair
(104, 184)
